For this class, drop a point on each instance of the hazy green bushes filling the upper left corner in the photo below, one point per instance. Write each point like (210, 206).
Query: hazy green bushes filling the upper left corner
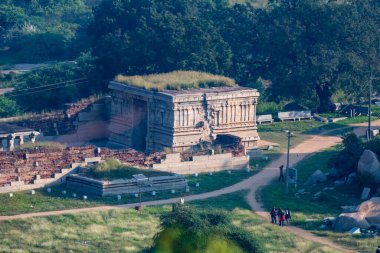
(40, 30)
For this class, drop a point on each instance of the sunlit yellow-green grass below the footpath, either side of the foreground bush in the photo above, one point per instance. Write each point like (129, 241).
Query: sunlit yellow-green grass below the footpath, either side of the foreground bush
(127, 231)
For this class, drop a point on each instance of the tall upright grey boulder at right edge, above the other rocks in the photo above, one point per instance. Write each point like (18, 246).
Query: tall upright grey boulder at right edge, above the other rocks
(368, 164)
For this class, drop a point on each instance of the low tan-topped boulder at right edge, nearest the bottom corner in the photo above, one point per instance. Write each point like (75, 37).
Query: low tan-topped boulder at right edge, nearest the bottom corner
(367, 214)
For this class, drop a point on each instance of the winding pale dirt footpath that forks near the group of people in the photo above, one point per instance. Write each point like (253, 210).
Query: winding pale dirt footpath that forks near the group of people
(264, 177)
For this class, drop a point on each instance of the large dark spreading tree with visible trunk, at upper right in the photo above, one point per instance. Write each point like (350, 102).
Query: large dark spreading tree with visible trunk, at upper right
(314, 48)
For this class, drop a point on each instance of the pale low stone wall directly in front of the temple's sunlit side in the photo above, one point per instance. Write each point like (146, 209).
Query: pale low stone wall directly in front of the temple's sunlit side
(199, 164)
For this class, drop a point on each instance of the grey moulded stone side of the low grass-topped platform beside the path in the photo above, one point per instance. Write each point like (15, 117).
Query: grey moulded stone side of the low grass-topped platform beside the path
(123, 186)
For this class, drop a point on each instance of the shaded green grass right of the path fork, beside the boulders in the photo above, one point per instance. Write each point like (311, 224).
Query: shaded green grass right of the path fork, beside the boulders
(308, 212)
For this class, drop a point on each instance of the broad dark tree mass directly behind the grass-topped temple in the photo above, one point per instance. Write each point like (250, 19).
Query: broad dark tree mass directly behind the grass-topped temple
(150, 36)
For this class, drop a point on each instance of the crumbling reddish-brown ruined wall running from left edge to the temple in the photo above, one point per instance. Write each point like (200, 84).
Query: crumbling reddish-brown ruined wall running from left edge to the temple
(44, 163)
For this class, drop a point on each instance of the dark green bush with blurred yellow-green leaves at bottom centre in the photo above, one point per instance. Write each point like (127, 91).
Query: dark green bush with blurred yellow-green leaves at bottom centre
(190, 230)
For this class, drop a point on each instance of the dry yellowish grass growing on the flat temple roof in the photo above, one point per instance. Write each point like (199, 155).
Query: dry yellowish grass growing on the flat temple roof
(176, 80)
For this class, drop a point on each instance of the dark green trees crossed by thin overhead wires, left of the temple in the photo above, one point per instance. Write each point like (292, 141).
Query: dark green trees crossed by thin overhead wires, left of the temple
(50, 87)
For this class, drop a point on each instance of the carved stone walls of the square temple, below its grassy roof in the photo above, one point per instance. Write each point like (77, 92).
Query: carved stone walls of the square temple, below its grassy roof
(181, 120)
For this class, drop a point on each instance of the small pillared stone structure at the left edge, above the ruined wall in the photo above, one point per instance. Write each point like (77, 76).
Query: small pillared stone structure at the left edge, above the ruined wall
(11, 133)
